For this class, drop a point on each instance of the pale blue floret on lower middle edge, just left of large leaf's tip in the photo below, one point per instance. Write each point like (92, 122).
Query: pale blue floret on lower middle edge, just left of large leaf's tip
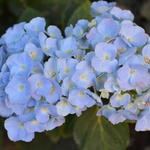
(80, 99)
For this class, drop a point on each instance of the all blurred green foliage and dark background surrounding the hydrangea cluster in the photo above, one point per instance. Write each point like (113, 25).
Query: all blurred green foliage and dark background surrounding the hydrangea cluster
(87, 132)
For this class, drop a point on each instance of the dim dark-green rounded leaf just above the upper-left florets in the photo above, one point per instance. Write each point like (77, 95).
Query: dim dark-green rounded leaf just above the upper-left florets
(28, 14)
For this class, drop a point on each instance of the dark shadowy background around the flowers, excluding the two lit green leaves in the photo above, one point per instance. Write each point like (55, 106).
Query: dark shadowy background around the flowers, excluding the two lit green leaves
(58, 12)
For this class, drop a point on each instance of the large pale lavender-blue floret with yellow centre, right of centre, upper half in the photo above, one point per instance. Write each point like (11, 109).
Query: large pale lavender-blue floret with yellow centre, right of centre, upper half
(104, 60)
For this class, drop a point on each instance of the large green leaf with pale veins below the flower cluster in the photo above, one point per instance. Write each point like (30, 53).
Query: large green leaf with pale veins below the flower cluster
(97, 133)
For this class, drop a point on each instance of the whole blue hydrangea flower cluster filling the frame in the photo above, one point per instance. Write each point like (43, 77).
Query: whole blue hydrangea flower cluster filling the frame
(44, 76)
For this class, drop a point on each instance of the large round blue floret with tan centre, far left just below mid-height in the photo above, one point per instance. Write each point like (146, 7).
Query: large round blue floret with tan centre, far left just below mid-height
(18, 90)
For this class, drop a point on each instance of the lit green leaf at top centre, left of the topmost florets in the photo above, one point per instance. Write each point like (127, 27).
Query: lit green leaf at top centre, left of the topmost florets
(82, 12)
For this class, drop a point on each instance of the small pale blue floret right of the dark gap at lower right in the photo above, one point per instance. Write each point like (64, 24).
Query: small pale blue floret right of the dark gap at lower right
(119, 99)
